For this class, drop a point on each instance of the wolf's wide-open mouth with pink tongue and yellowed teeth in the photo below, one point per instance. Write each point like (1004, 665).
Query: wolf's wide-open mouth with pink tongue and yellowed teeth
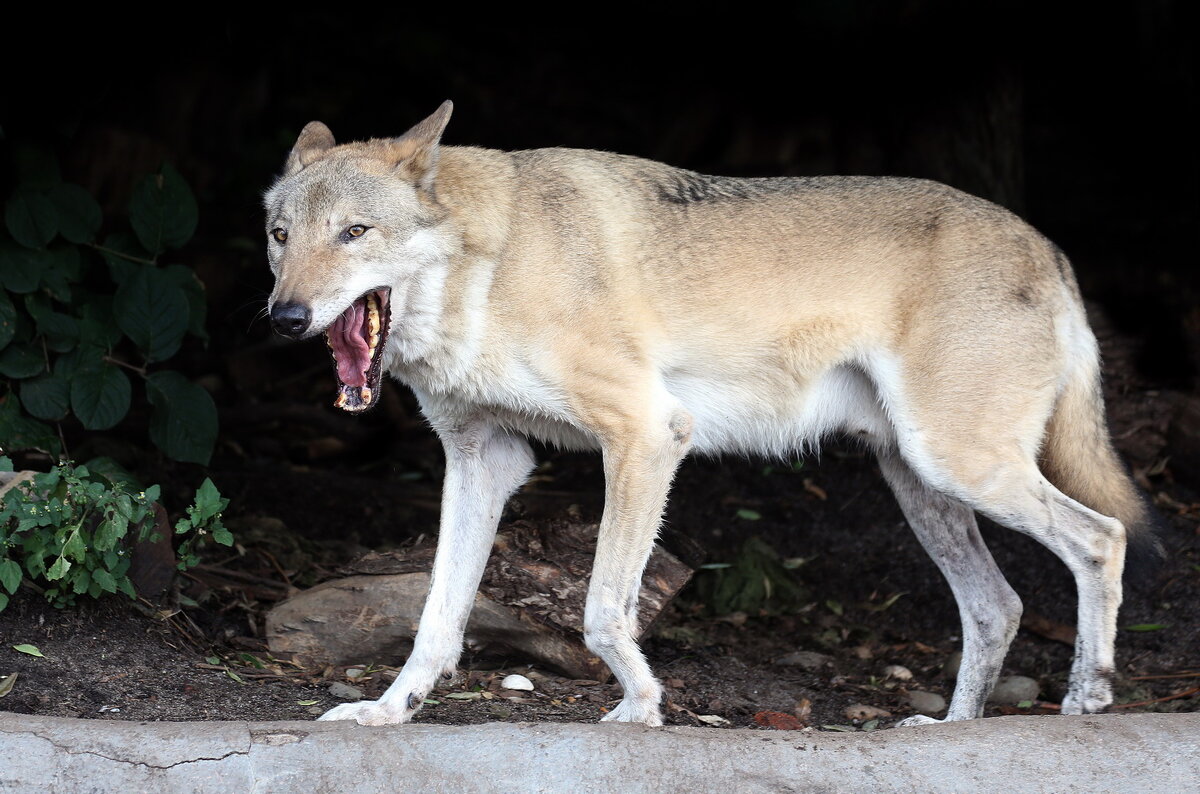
(356, 341)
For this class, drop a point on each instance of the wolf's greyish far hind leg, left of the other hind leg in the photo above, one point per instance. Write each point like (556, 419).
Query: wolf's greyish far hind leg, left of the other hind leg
(989, 609)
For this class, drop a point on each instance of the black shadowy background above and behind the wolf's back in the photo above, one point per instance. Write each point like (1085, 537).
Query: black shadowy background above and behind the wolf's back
(1081, 121)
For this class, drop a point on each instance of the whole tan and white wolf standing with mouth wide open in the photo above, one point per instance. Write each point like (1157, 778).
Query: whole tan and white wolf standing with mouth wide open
(601, 302)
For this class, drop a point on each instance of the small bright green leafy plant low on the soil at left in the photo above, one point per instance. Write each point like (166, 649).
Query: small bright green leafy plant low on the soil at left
(70, 531)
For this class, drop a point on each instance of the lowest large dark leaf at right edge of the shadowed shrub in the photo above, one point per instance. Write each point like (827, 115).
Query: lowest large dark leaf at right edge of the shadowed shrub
(184, 424)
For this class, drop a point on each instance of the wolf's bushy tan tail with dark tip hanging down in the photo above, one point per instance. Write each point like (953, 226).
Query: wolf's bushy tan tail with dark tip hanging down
(1079, 460)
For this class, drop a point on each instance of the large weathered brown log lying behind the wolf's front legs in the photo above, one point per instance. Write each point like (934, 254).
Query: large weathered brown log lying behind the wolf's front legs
(530, 605)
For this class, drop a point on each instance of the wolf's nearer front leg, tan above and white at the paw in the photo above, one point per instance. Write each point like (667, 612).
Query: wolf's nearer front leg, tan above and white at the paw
(639, 467)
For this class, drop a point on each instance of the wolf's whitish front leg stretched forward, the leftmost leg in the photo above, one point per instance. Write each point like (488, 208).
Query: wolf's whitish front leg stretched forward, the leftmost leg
(484, 467)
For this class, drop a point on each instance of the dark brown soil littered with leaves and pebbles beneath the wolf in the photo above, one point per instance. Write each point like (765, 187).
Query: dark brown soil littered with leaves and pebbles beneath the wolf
(305, 503)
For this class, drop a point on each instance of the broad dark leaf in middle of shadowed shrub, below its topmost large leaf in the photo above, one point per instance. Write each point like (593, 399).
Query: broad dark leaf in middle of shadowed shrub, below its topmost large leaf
(153, 311)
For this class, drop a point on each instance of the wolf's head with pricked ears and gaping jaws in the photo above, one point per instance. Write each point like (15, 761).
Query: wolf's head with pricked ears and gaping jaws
(349, 227)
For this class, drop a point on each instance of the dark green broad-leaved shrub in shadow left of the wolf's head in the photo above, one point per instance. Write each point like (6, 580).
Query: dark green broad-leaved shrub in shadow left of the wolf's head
(79, 314)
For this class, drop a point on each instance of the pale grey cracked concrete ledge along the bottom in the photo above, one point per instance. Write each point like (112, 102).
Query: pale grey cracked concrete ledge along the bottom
(1135, 753)
